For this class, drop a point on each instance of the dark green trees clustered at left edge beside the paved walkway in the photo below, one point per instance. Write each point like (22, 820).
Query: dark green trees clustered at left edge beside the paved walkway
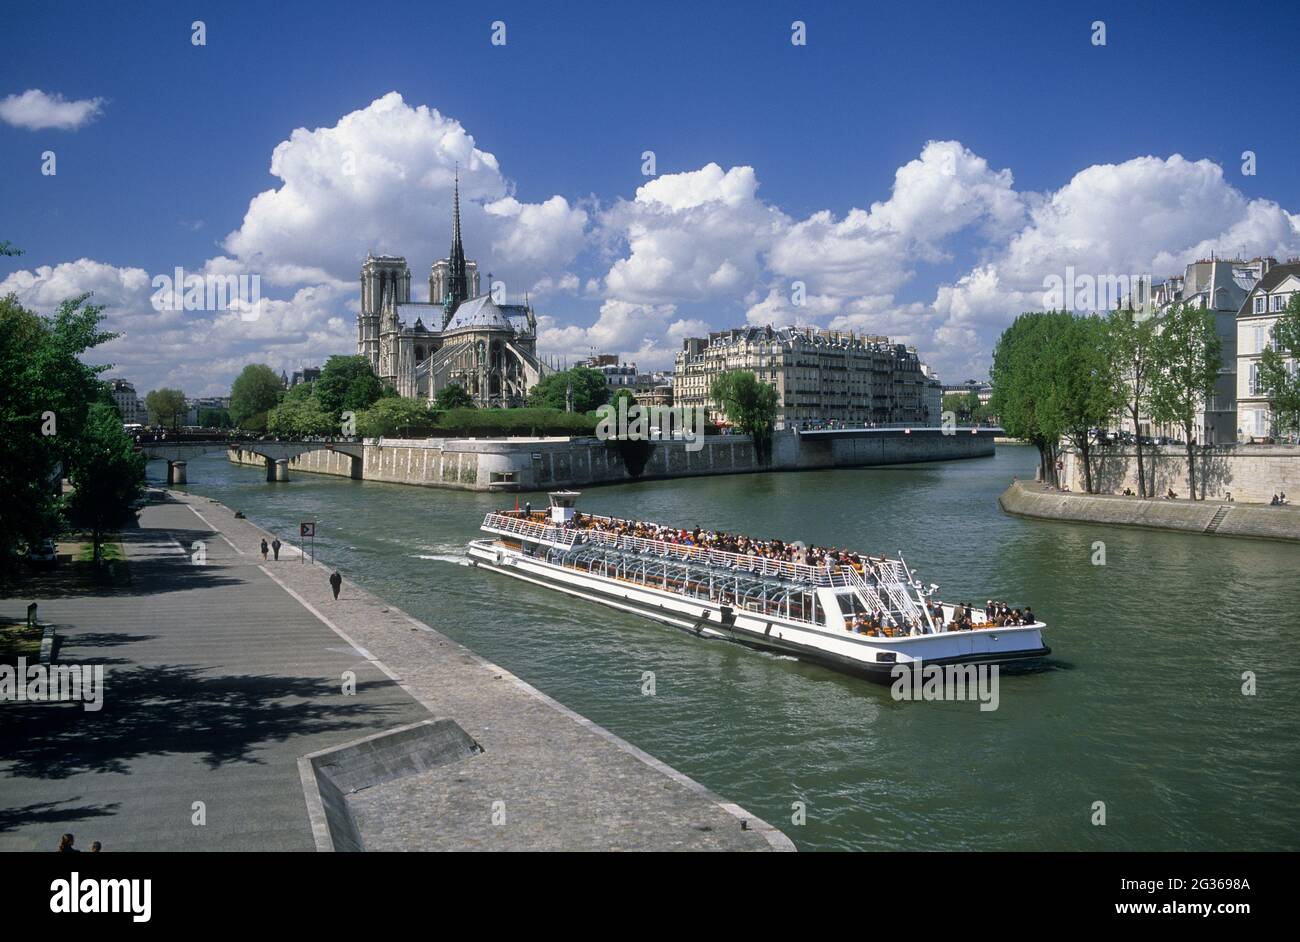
(59, 420)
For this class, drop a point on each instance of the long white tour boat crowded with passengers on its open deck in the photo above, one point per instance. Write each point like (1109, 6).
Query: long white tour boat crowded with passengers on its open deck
(795, 609)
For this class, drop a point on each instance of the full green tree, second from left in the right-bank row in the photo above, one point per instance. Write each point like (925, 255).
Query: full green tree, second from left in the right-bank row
(1084, 390)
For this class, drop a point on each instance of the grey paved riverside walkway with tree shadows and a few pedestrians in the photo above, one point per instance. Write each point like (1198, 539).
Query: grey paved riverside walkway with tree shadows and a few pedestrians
(227, 726)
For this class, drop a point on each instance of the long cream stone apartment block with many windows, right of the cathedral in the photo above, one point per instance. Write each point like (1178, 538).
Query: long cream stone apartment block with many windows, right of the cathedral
(821, 376)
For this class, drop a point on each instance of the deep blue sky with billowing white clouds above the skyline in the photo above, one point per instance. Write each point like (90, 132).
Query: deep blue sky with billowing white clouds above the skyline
(1016, 95)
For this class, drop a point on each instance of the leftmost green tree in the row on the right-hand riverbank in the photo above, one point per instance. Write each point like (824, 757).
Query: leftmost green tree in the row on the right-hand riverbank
(1022, 385)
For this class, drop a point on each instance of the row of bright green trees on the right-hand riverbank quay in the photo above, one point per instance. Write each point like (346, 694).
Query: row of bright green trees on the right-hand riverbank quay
(1059, 376)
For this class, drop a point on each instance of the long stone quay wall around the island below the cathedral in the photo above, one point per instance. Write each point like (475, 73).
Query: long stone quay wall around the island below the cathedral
(540, 465)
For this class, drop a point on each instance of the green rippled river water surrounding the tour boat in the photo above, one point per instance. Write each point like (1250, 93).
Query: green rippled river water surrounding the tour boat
(1141, 707)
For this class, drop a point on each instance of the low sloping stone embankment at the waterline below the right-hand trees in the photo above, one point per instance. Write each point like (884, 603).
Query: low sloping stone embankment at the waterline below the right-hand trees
(1212, 518)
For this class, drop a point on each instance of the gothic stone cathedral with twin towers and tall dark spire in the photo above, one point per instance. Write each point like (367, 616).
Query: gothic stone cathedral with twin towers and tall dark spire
(488, 349)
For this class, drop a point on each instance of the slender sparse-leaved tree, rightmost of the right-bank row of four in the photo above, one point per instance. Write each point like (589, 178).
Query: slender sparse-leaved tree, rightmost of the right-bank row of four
(1188, 355)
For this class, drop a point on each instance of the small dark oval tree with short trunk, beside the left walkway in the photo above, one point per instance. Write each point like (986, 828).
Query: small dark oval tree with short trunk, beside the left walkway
(107, 476)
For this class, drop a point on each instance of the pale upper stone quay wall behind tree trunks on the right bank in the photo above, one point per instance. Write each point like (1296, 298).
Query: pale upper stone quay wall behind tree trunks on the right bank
(1251, 474)
